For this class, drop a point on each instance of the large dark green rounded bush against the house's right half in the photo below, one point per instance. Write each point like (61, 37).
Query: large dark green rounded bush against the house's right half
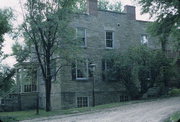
(140, 69)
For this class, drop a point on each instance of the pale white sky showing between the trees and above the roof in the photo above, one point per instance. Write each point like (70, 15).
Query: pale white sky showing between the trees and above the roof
(15, 6)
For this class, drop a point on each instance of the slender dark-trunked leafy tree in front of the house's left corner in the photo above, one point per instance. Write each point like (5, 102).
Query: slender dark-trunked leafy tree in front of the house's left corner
(46, 30)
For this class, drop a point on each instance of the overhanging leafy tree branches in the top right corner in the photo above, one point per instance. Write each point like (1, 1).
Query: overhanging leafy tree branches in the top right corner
(167, 22)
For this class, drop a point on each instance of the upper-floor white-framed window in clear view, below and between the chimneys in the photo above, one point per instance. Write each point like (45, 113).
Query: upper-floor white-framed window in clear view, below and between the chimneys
(109, 39)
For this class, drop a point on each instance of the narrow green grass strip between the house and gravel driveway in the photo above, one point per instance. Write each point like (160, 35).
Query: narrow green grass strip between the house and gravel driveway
(31, 114)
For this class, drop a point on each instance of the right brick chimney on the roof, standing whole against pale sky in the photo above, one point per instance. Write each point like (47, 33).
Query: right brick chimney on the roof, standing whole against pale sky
(131, 12)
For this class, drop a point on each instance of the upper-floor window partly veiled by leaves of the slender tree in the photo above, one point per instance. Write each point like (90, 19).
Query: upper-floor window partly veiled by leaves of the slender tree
(81, 36)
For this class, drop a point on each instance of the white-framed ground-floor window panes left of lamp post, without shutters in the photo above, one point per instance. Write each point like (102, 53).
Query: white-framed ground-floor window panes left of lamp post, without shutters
(81, 69)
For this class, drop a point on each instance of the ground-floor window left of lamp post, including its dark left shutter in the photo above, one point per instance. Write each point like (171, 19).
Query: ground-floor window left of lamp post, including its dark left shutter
(80, 70)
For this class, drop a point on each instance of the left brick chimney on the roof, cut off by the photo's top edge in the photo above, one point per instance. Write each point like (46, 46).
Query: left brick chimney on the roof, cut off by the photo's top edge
(92, 7)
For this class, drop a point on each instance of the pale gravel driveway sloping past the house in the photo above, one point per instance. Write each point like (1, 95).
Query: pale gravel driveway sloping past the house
(154, 111)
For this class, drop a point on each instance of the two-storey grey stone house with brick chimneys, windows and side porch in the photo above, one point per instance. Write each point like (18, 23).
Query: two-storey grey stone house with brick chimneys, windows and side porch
(100, 32)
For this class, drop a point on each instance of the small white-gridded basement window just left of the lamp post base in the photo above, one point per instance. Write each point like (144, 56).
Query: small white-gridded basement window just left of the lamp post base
(82, 102)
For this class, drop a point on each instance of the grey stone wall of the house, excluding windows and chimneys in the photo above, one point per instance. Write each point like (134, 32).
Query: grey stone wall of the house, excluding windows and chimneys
(127, 33)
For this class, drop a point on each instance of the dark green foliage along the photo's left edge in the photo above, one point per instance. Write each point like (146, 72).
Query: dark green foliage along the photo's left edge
(6, 80)
